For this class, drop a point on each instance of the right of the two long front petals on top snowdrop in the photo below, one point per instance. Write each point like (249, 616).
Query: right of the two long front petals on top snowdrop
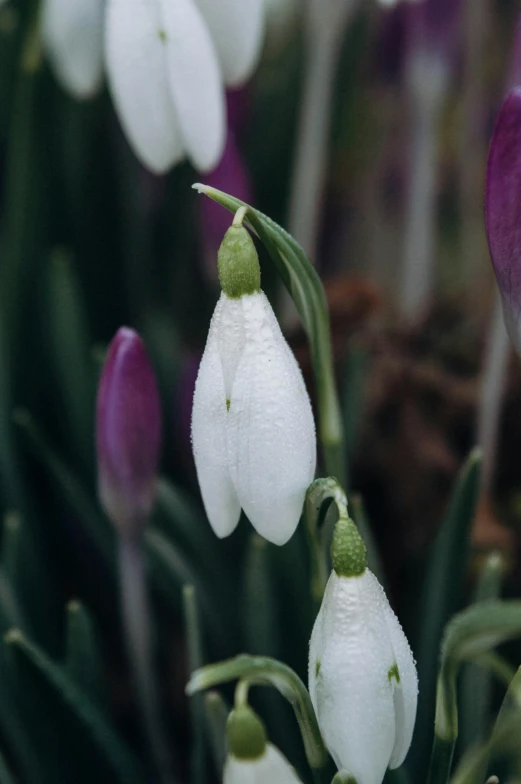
(195, 82)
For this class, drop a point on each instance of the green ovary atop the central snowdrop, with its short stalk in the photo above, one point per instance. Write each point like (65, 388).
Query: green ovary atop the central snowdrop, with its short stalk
(237, 261)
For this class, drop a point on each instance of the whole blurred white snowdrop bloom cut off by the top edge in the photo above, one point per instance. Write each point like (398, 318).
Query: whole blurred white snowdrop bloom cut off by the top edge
(166, 63)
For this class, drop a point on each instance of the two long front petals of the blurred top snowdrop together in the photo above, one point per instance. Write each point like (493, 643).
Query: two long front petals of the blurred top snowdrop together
(166, 83)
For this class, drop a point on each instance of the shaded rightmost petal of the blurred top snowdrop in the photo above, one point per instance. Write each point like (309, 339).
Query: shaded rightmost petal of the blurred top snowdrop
(237, 28)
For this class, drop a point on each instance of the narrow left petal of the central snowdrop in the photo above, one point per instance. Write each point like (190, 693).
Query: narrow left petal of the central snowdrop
(209, 437)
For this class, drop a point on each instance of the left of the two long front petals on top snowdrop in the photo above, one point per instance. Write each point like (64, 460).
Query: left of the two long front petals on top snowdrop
(136, 62)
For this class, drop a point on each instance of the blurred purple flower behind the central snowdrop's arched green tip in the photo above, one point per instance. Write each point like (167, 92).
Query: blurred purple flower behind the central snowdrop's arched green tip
(230, 176)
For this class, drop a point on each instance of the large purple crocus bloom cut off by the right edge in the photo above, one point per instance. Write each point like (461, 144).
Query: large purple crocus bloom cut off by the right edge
(503, 210)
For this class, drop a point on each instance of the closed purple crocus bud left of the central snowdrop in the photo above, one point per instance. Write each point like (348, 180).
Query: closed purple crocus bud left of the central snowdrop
(128, 433)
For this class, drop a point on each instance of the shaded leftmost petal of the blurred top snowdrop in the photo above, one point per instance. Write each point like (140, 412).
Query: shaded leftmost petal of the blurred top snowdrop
(72, 32)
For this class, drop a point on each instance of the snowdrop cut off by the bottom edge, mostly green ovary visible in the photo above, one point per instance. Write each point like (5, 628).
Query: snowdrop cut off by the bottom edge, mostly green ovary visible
(251, 760)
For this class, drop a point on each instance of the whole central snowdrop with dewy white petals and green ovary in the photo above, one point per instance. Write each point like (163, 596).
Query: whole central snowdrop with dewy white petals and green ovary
(253, 433)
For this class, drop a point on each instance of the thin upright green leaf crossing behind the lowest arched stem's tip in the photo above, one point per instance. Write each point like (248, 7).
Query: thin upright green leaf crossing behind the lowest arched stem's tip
(195, 660)
